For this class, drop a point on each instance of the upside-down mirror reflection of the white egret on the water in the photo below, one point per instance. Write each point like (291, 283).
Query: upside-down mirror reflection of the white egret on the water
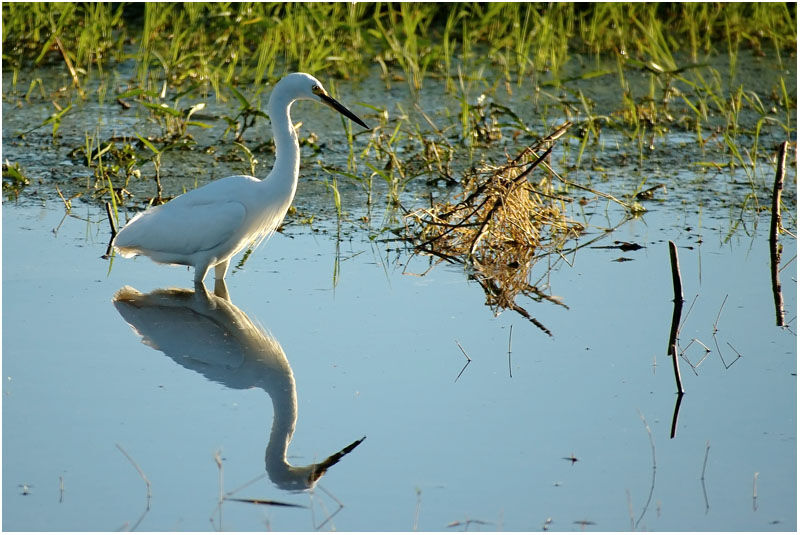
(208, 334)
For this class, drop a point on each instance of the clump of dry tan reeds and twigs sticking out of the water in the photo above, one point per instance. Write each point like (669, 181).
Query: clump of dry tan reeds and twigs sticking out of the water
(505, 221)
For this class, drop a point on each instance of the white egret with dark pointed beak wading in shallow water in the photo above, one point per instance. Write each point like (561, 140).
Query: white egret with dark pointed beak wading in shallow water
(207, 226)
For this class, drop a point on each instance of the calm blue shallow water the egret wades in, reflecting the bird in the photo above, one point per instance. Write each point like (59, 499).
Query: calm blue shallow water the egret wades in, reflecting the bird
(377, 355)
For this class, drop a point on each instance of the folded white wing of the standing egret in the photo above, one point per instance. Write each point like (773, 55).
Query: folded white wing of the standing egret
(182, 229)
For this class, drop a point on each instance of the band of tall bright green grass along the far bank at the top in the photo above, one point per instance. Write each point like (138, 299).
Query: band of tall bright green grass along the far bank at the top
(217, 43)
